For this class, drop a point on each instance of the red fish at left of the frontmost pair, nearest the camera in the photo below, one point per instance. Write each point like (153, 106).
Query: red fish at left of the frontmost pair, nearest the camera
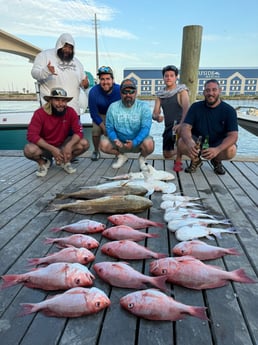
(75, 302)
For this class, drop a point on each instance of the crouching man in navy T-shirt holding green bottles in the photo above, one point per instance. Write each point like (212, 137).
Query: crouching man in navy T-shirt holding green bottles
(212, 119)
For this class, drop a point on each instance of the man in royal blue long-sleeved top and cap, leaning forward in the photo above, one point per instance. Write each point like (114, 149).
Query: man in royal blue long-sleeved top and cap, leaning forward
(100, 97)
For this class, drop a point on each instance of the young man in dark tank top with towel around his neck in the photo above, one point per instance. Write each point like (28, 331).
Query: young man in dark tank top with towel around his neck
(174, 101)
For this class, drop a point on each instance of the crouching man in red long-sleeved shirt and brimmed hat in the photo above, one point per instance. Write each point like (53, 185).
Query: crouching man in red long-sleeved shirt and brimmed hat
(49, 134)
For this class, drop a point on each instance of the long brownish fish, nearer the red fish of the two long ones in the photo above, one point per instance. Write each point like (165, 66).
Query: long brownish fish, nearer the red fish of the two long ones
(108, 204)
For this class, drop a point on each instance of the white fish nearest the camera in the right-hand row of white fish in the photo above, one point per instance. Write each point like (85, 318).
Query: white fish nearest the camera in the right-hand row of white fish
(187, 233)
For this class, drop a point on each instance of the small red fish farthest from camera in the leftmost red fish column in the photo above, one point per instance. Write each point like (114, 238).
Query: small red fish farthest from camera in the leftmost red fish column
(84, 226)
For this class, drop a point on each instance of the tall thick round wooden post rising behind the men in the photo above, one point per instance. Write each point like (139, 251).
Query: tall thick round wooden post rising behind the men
(191, 50)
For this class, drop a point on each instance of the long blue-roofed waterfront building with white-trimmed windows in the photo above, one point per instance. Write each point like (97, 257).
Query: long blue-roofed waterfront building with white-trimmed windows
(233, 81)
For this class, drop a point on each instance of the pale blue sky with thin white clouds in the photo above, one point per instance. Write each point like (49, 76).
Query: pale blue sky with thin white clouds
(130, 33)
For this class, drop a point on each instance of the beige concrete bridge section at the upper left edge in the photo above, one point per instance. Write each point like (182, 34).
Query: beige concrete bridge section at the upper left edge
(14, 45)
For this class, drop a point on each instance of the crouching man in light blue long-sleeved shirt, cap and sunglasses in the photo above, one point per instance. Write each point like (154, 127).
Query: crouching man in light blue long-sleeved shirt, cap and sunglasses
(128, 126)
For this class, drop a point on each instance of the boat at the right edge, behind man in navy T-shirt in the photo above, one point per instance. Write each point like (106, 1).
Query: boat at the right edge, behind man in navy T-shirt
(248, 118)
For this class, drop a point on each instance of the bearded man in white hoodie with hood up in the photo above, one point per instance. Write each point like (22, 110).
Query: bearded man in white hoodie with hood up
(57, 67)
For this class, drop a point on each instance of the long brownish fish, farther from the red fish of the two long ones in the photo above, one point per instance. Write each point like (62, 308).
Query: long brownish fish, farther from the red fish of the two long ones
(105, 189)
